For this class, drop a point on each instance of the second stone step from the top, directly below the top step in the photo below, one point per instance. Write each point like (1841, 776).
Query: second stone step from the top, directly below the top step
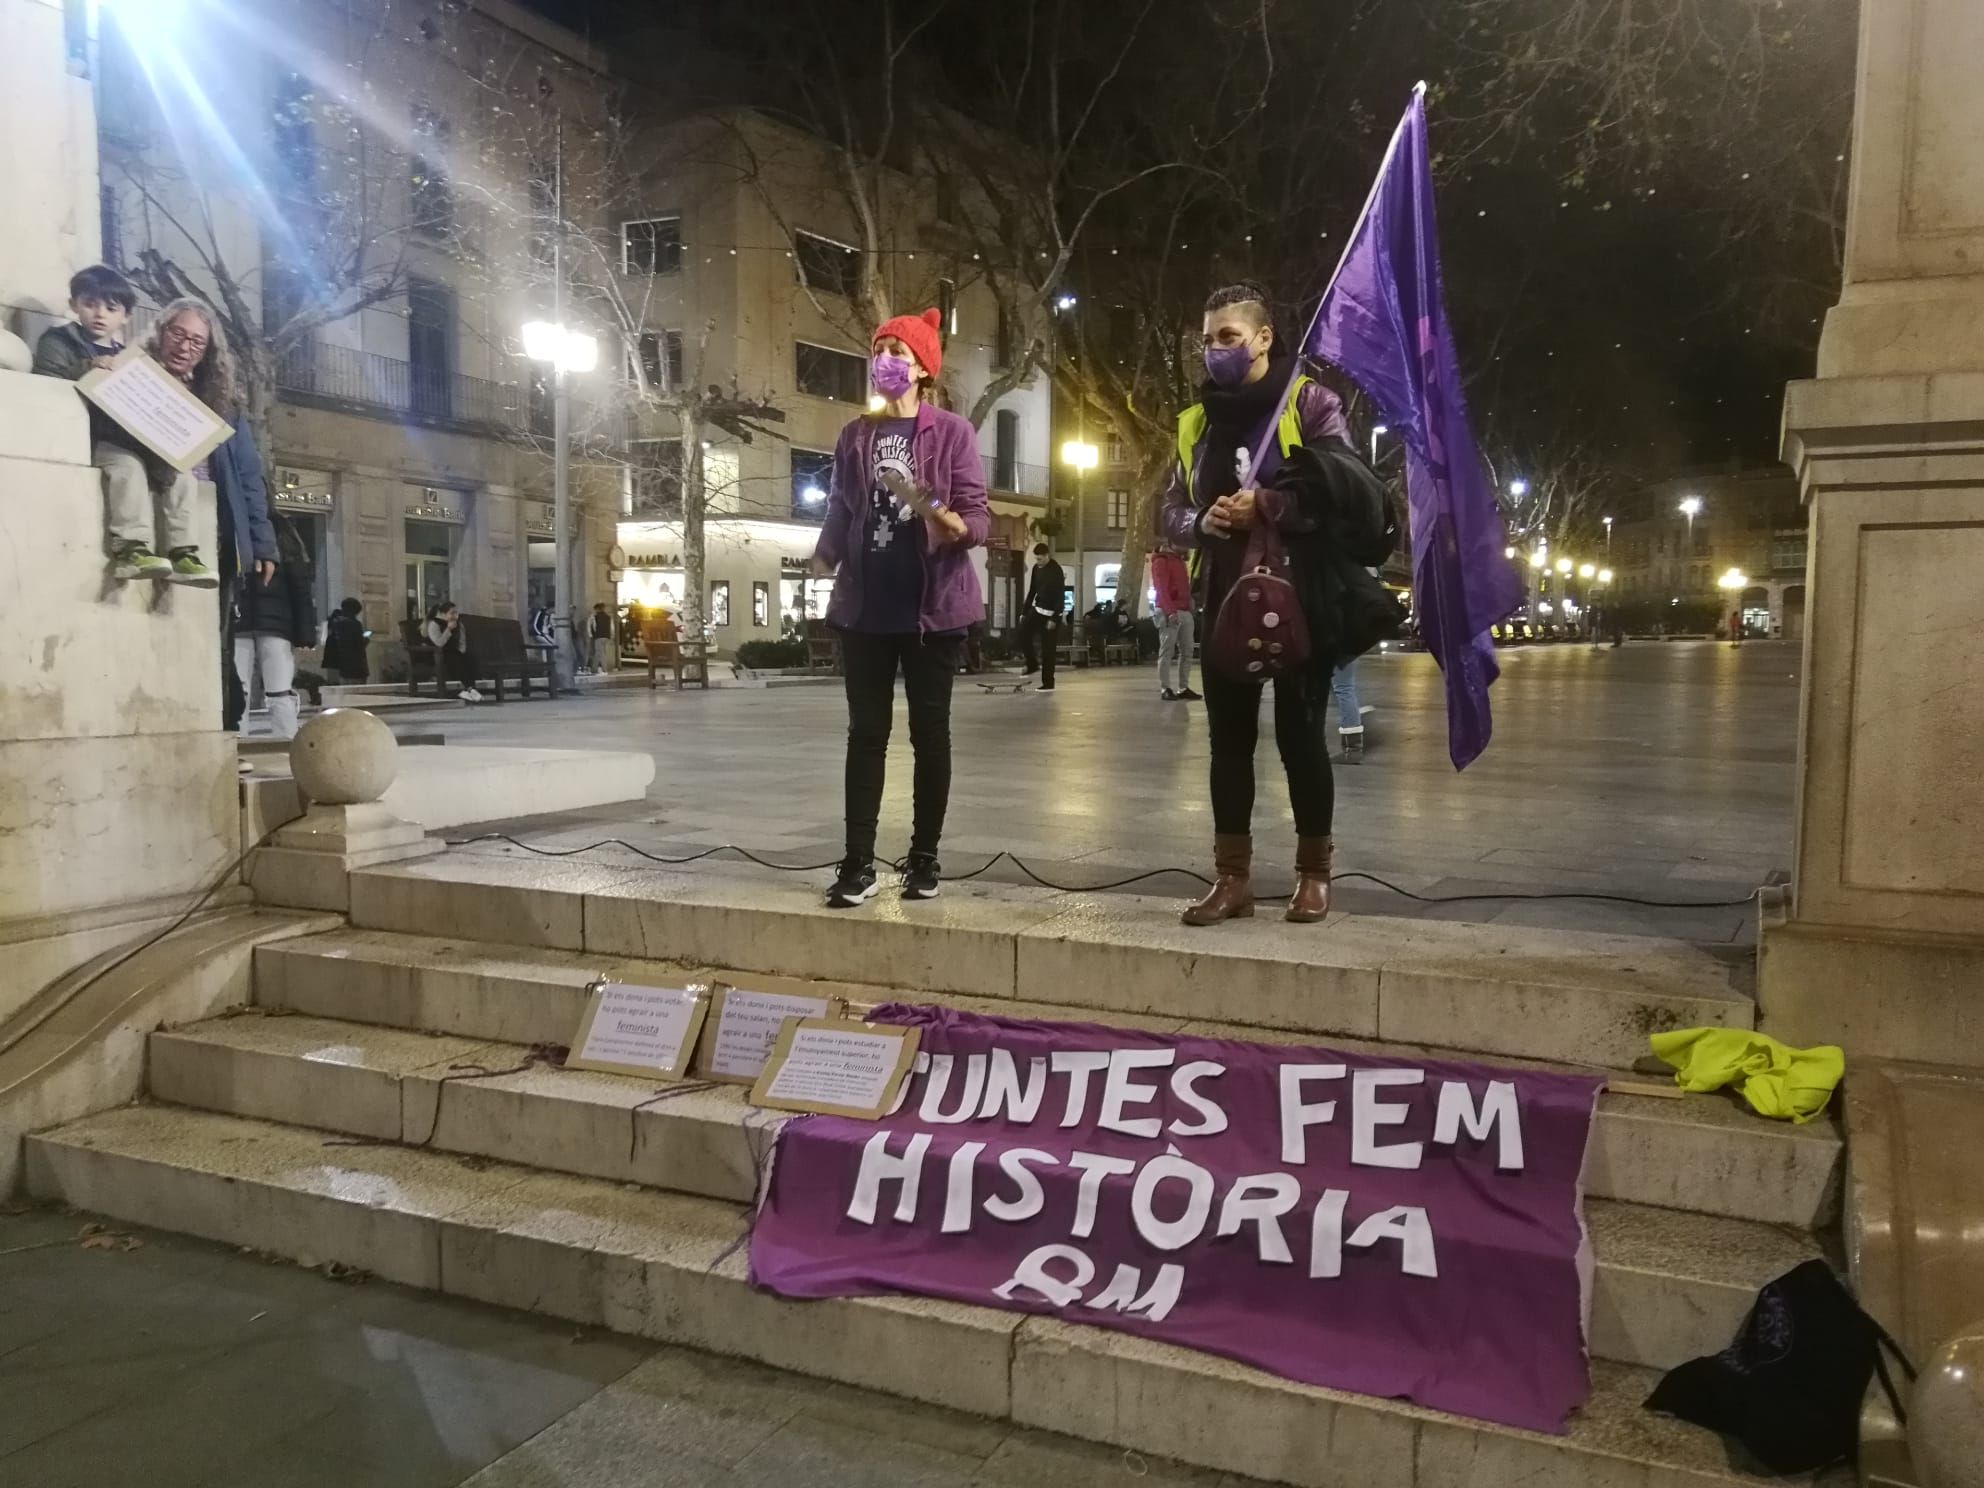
(1703, 1154)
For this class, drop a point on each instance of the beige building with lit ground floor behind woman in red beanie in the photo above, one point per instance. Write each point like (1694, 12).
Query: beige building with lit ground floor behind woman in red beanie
(737, 269)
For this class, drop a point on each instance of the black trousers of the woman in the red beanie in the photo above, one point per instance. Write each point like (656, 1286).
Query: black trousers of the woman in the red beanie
(870, 666)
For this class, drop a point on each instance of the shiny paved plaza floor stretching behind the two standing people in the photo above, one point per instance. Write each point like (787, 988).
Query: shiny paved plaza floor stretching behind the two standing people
(1658, 771)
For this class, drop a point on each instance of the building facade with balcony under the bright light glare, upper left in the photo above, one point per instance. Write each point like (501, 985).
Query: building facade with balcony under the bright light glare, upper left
(408, 439)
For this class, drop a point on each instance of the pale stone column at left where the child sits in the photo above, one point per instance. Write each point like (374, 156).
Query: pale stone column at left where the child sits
(118, 789)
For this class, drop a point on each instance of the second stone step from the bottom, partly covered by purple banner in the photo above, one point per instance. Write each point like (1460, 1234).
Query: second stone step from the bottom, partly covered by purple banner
(1670, 1287)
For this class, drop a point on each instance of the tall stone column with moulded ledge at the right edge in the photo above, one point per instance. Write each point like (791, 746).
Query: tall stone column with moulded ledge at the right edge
(1884, 943)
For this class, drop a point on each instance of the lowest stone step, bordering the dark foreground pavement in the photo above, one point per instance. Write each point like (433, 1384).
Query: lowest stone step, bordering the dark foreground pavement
(676, 1269)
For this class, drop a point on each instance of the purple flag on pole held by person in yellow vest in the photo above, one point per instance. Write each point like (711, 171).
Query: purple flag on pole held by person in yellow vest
(1384, 322)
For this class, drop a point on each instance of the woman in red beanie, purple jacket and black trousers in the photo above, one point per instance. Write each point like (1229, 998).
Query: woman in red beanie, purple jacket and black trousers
(904, 592)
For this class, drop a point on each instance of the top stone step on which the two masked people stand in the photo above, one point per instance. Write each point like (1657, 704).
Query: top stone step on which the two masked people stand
(1487, 989)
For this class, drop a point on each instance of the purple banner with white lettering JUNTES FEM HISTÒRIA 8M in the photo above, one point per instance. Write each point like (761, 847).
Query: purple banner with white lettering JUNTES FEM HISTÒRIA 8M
(1396, 1227)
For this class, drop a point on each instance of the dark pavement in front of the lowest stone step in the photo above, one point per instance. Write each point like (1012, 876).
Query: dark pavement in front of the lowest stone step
(142, 1360)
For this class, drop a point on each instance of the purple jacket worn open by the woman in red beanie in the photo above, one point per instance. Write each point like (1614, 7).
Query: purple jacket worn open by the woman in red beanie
(953, 471)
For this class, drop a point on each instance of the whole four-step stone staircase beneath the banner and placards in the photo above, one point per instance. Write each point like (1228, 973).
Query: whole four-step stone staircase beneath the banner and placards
(380, 1106)
